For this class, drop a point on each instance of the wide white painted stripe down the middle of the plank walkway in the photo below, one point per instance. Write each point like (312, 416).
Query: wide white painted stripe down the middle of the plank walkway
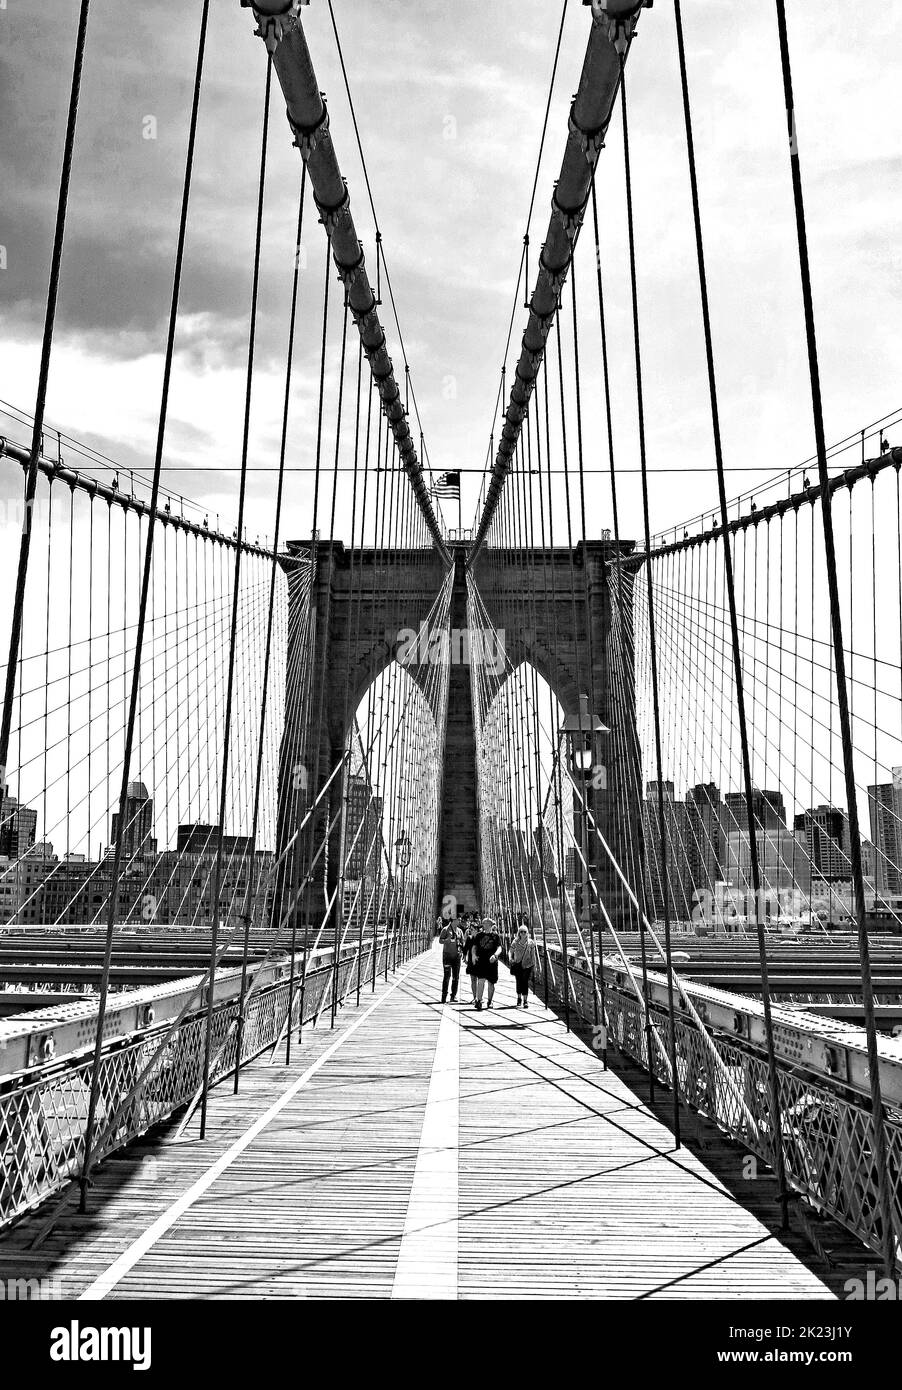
(427, 1261)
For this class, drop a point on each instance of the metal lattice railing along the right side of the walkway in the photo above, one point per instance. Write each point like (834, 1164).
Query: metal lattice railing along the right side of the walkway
(826, 1128)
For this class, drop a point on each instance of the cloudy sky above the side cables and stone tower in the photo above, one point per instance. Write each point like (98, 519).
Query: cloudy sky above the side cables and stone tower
(451, 102)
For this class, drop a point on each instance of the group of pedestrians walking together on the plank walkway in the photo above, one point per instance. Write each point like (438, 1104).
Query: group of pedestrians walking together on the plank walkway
(479, 945)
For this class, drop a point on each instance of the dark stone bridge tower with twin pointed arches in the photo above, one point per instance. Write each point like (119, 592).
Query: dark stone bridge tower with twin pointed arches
(351, 615)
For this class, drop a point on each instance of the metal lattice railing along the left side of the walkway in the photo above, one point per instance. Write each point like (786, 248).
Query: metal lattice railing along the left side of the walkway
(44, 1113)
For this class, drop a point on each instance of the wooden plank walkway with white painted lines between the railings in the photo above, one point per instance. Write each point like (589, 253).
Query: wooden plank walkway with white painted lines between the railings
(427, 1153)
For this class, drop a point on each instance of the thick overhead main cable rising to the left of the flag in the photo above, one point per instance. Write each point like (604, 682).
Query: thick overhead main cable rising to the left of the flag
(280, 27)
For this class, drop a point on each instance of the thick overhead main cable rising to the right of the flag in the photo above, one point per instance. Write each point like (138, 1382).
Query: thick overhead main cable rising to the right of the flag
(614, 26)
